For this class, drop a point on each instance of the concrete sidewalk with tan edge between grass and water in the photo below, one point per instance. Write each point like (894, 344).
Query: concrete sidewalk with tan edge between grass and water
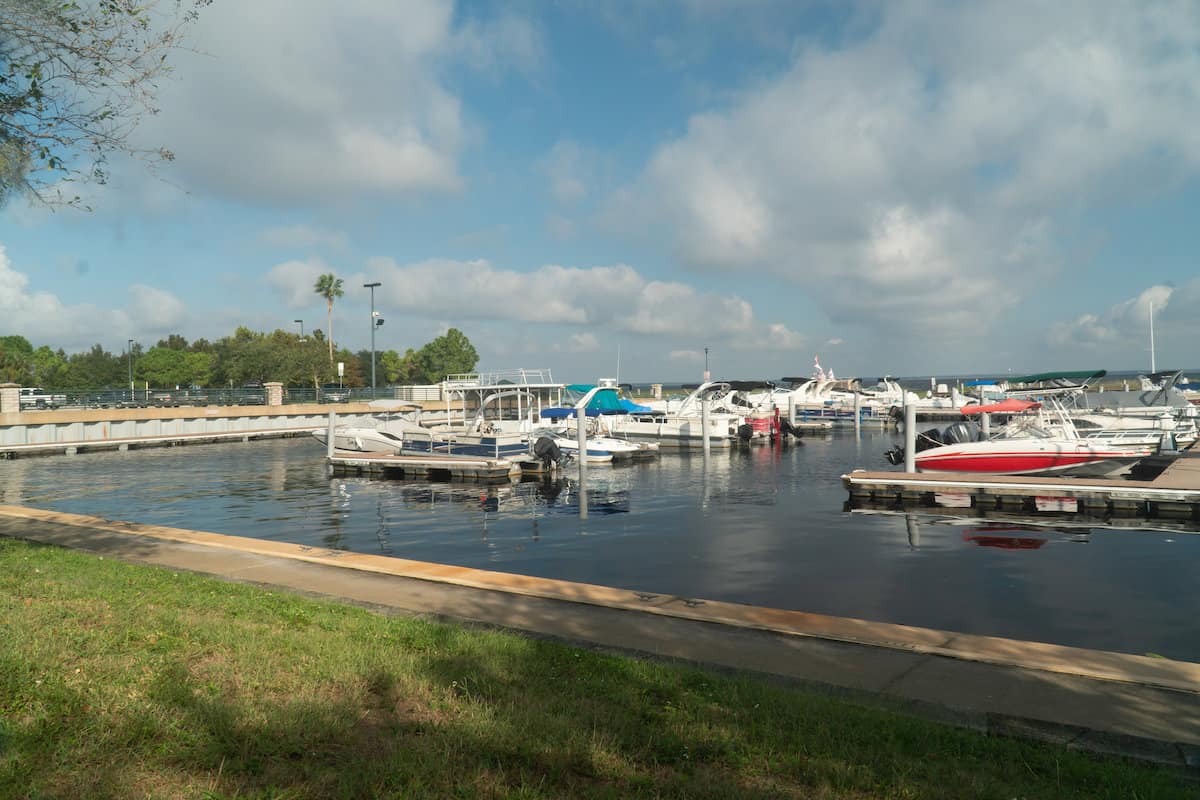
(1107, 702)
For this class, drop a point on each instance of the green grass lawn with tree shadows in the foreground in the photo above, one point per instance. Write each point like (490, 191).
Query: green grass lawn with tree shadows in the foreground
(129, 682)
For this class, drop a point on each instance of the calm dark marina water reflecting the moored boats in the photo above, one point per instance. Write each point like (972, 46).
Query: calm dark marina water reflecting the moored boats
(758, 526)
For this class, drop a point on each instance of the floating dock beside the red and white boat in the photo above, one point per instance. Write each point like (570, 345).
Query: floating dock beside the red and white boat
(1174, 495)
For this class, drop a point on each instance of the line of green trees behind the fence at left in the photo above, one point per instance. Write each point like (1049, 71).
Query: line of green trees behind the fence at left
(236, 360)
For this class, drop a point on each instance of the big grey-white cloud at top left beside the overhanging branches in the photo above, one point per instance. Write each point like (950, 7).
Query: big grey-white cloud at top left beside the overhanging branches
(301, 103)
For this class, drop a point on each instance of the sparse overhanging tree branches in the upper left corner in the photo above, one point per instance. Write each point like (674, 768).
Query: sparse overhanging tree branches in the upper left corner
(76, 79)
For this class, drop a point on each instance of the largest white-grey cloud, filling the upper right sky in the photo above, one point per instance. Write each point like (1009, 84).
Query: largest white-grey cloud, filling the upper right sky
(916, 178)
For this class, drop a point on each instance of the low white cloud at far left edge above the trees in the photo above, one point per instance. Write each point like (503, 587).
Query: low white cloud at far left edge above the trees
(43, 318)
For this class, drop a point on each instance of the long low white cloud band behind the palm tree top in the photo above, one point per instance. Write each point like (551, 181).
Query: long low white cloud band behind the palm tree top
(613, 299)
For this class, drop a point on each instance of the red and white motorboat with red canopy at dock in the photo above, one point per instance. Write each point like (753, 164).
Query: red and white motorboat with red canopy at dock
(1040, 450)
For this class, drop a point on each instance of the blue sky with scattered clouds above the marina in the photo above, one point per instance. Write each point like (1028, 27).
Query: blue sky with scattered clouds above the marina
(609, 189)
